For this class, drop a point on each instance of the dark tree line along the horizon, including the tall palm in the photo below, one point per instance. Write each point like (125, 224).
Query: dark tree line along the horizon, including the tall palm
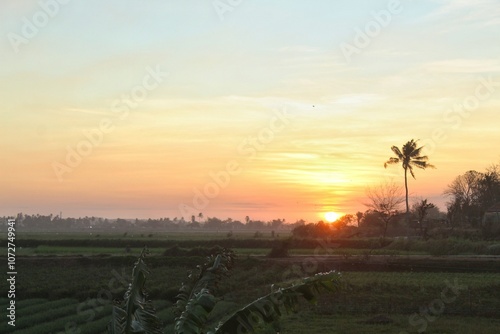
(470, 196)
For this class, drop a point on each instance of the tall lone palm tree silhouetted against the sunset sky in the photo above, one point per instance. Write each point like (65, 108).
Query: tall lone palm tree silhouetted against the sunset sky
(409, 157)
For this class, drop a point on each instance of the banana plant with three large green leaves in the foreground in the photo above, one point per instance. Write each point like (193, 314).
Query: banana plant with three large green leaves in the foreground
(197, 299)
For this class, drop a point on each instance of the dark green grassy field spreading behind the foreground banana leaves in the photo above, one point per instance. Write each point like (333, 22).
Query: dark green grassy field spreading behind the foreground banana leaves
(60, 289)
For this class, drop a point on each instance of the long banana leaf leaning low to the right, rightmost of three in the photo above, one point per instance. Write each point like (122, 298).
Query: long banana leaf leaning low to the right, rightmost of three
(268, 309)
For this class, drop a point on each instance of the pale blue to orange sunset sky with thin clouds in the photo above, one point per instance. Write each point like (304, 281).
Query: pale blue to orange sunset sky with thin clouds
(267, 109)
